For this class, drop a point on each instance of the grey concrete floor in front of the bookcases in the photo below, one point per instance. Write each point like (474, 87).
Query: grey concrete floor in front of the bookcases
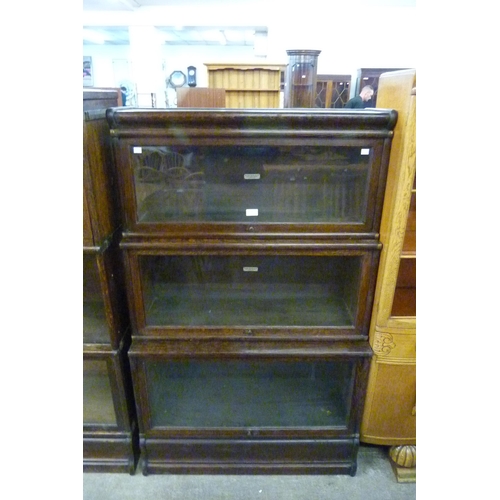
(374, 480)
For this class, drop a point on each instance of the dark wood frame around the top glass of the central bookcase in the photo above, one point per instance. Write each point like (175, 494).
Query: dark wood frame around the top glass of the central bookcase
(252, 127)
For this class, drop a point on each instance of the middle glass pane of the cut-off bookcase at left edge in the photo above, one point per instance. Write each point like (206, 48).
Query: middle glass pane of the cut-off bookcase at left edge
(95, 326)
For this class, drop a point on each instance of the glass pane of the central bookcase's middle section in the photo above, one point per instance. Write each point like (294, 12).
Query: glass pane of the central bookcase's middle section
(250, 290)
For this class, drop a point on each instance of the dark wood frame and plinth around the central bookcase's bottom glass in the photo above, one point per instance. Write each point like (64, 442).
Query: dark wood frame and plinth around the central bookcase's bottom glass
(325, 450)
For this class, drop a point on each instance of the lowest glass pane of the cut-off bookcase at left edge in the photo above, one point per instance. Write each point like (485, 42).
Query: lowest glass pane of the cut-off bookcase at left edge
(97, 397)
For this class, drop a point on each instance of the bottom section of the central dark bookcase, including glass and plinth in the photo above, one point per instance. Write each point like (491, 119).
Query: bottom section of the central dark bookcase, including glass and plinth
(257, 407)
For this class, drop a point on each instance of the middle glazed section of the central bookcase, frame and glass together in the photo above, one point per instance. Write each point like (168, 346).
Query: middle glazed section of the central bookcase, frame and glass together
(271, 294)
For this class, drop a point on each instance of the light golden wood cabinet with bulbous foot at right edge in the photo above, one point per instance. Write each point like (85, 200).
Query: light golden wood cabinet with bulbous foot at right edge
(390, 411)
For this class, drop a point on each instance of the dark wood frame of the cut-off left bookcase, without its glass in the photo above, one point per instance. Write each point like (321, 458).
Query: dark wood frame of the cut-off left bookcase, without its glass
(107, 448)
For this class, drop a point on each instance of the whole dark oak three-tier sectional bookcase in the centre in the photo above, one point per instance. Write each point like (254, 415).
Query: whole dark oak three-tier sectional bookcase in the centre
(251, 252)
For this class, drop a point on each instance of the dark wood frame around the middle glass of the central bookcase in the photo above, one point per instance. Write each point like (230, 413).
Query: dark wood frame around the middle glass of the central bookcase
(369, 254)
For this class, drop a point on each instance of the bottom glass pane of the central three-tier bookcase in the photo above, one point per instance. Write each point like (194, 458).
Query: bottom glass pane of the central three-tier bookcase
(249, 393)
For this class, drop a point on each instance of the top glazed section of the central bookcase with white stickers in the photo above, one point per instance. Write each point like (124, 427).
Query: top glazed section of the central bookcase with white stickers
(236, 172)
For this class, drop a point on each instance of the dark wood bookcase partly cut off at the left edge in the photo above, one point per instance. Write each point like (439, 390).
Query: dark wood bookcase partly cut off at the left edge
(110, 440)
